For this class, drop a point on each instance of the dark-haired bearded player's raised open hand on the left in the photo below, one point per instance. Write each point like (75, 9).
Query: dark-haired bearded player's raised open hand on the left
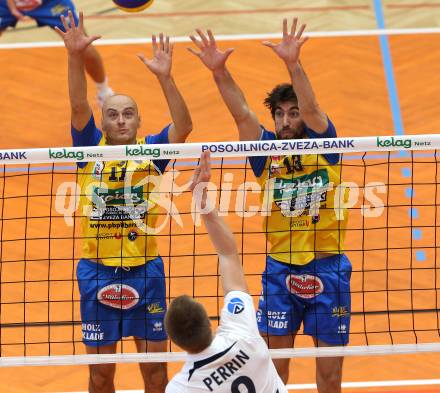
(209, 54)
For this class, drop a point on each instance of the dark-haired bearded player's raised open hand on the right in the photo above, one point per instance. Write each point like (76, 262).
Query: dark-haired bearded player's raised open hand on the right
(290, 46)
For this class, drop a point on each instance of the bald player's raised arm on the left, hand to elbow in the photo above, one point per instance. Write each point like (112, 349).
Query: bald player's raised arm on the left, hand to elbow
(76, 42)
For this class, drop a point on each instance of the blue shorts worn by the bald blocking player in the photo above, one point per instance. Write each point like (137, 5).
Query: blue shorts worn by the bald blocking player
(118, 303)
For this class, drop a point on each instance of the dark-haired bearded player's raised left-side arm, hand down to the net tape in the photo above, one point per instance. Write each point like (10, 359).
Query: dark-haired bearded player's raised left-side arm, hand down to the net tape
(215, 60)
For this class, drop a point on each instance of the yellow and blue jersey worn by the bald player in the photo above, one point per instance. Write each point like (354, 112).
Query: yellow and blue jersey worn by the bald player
(118, 203)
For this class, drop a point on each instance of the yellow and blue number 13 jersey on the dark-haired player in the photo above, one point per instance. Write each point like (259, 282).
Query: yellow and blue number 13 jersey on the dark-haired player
(303, 203)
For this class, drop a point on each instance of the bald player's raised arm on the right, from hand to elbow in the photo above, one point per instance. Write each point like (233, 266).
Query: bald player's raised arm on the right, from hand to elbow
(160, 65)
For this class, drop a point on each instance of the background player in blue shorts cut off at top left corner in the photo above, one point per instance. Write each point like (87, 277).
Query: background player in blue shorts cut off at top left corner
(47, 13)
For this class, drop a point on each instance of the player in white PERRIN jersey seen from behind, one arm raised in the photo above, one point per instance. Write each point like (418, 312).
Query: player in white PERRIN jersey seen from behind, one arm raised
(234, 359)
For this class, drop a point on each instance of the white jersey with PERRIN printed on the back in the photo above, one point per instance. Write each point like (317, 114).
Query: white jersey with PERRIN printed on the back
(237, 359)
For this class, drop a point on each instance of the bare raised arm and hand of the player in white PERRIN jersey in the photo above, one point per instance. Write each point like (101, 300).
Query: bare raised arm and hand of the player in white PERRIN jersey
(231, 271)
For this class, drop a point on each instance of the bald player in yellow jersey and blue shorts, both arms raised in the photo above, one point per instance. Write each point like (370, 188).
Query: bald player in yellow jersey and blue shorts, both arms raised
(120, 276)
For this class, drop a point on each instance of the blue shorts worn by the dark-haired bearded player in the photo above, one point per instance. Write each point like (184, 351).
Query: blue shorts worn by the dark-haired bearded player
(317, 294)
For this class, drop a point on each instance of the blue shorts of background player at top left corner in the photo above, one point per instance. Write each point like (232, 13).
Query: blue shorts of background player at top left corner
(47, 14)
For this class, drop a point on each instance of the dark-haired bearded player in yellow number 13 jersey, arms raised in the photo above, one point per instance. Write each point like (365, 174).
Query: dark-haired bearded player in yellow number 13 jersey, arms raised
(307, 275)
